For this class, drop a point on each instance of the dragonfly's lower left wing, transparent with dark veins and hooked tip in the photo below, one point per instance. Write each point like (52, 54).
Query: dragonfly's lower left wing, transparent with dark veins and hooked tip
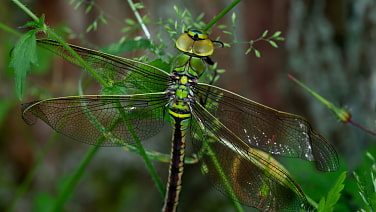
(101, 120)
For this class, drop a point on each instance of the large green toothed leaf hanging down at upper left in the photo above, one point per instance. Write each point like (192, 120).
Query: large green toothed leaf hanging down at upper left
(22, 55)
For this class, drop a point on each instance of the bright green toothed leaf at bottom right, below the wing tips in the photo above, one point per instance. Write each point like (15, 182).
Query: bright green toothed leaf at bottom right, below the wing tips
(327, 204)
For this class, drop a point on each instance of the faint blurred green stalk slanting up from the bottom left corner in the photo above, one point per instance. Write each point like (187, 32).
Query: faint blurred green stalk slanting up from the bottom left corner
(28, 179)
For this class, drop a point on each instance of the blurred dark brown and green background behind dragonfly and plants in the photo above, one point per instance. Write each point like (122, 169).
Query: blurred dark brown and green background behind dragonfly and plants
(330, 46)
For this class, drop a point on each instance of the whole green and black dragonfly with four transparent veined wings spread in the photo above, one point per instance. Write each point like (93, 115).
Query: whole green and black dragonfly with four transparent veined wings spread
(235, 138)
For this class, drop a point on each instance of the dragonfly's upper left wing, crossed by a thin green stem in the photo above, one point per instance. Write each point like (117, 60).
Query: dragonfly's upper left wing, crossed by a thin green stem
(141, 77)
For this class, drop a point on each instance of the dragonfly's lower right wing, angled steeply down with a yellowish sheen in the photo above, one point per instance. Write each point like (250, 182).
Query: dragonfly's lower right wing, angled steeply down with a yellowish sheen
(246, 175)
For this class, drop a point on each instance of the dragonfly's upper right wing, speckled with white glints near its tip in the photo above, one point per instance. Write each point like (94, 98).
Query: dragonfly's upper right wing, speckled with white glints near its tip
(267, 129)
